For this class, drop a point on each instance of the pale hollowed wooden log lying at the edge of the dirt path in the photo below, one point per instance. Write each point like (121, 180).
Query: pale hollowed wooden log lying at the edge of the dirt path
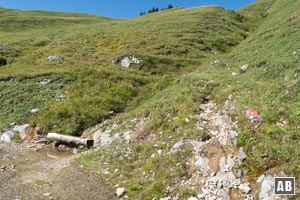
(70, 140)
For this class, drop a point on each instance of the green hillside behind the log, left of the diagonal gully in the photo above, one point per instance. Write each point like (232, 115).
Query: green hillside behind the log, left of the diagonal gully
(168, 43)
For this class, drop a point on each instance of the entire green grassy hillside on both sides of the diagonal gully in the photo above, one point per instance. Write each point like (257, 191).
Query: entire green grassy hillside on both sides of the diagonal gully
(188, 56)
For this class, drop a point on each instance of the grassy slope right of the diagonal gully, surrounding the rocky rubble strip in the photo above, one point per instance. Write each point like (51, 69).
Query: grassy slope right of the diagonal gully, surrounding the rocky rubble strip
(166, 115)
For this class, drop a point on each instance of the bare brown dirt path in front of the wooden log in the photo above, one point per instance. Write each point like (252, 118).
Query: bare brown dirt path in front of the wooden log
(41, 172)
